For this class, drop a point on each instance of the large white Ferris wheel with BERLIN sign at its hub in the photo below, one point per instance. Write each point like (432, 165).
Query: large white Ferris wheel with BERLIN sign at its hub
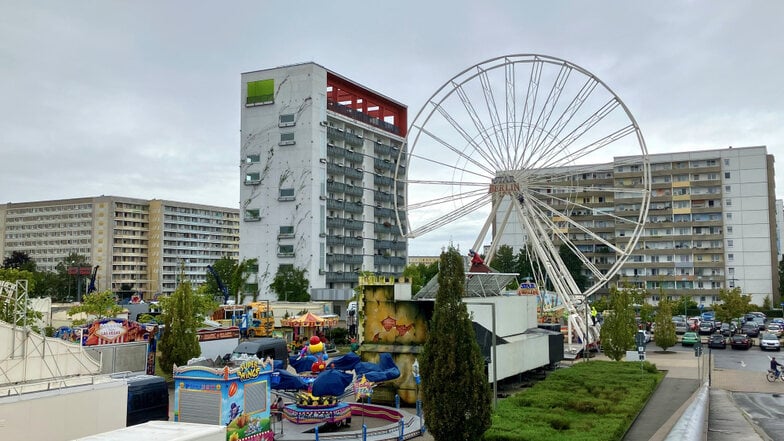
(519, 145)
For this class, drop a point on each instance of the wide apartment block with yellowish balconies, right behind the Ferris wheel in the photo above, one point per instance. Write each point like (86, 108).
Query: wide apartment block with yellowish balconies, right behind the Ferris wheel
(711, 224)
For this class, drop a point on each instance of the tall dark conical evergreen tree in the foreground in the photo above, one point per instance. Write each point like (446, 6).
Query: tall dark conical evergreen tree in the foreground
(456, 394)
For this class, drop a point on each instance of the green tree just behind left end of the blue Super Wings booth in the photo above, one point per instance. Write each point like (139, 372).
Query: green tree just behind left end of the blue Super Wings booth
(181, 315)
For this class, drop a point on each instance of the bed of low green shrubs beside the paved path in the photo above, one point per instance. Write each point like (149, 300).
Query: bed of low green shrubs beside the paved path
(588, 401)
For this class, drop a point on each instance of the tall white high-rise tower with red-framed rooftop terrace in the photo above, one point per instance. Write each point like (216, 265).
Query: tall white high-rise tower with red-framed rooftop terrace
(318, 156)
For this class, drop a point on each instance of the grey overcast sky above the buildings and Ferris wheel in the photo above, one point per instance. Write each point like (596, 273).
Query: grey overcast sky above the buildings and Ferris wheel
(142, 99)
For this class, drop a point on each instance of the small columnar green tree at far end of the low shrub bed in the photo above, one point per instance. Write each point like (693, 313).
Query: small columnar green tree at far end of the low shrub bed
(619, 327)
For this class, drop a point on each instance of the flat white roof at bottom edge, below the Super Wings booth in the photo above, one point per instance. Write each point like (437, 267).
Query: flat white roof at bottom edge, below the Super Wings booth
(163, 431)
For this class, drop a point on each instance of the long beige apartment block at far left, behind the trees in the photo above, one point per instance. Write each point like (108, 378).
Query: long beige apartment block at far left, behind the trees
(136, 242)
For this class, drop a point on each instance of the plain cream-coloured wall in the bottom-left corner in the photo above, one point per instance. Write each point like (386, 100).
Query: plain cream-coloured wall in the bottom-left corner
(66, 413)
